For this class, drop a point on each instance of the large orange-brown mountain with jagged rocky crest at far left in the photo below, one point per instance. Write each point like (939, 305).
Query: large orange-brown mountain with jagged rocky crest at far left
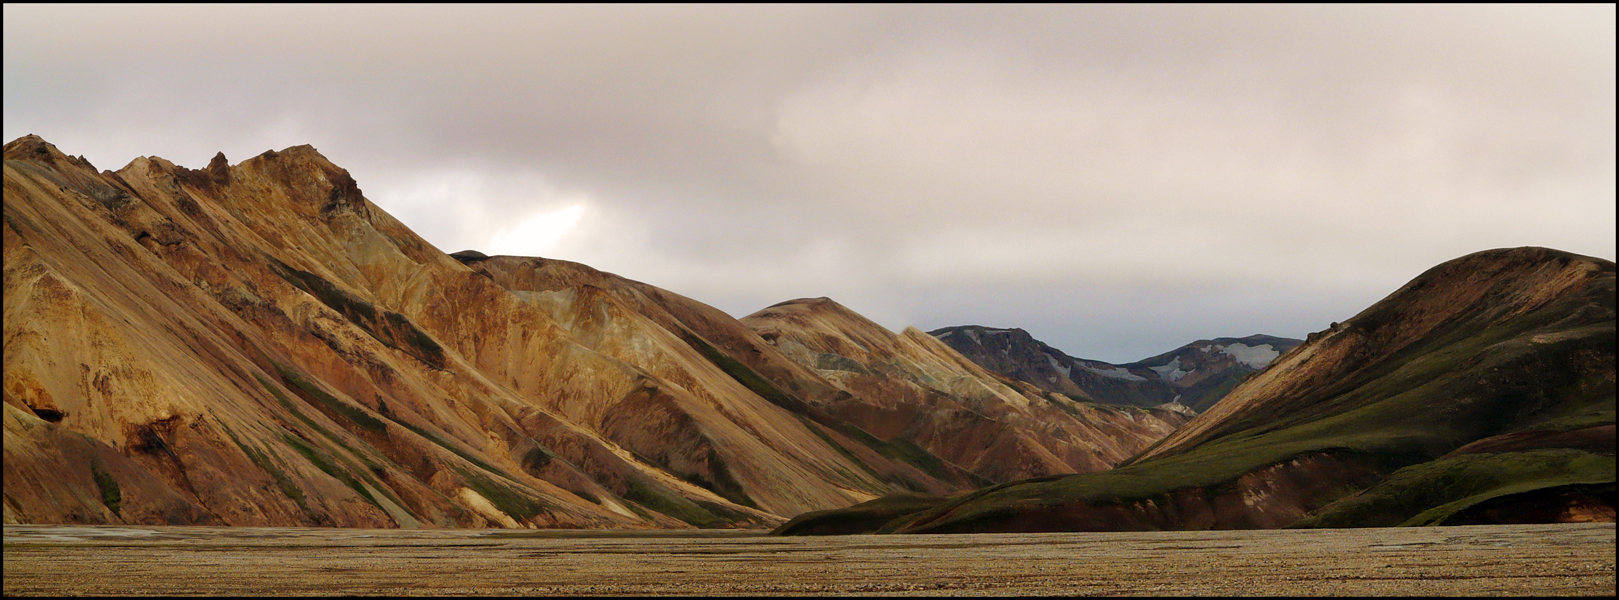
(247, 321)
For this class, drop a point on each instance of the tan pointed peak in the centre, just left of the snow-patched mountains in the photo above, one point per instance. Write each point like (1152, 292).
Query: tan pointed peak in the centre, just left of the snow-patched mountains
(912, 389)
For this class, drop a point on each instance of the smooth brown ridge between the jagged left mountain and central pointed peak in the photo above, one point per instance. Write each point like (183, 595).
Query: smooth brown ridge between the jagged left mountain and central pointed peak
(687, 342)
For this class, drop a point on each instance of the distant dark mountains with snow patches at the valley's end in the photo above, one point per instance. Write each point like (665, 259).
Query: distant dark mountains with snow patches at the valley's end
(1196, 376)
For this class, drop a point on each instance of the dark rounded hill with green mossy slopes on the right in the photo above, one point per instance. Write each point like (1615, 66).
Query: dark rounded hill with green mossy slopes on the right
(1481, 392)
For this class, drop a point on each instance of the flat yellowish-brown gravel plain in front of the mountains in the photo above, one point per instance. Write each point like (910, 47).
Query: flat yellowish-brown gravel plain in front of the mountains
(1484, 560)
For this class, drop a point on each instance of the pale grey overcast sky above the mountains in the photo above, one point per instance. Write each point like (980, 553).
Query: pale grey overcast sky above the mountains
(1115, 180)
